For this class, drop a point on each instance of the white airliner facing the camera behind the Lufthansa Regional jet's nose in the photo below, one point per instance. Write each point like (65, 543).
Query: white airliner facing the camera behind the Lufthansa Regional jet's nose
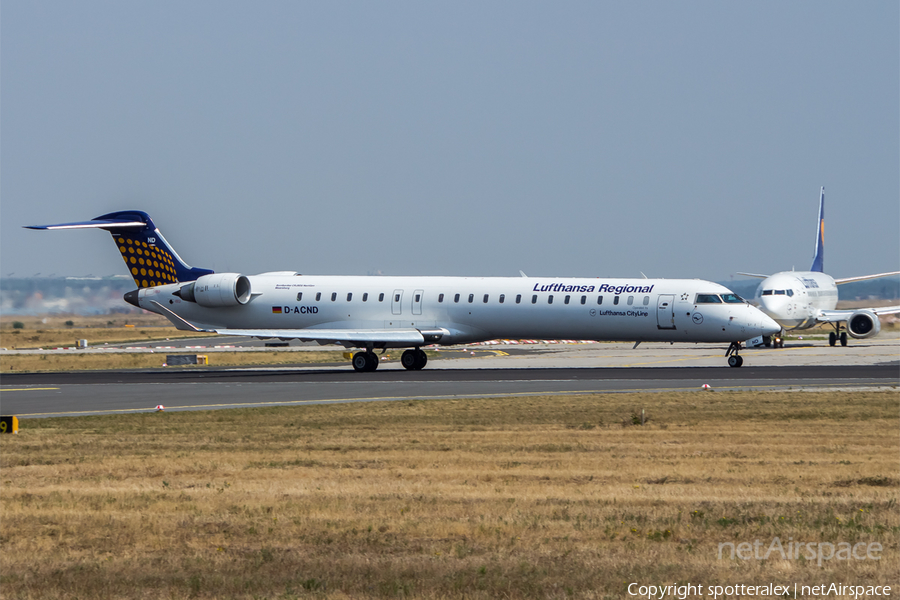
(804, 299)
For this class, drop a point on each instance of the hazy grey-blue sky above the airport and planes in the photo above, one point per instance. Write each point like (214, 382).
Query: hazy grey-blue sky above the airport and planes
(681, 139)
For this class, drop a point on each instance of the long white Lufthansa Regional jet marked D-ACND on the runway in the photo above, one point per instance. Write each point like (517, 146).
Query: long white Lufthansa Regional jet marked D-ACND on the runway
(375, 313)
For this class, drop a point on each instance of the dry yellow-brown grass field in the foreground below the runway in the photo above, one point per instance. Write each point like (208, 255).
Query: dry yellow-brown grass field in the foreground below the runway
(535, 497)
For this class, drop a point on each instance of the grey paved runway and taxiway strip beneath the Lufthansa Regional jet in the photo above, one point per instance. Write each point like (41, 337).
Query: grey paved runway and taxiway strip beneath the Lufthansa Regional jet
(479, 371)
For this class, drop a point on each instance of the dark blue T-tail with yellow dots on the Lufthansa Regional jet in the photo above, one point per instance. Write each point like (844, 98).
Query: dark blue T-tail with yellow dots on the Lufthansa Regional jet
(149, 257)
